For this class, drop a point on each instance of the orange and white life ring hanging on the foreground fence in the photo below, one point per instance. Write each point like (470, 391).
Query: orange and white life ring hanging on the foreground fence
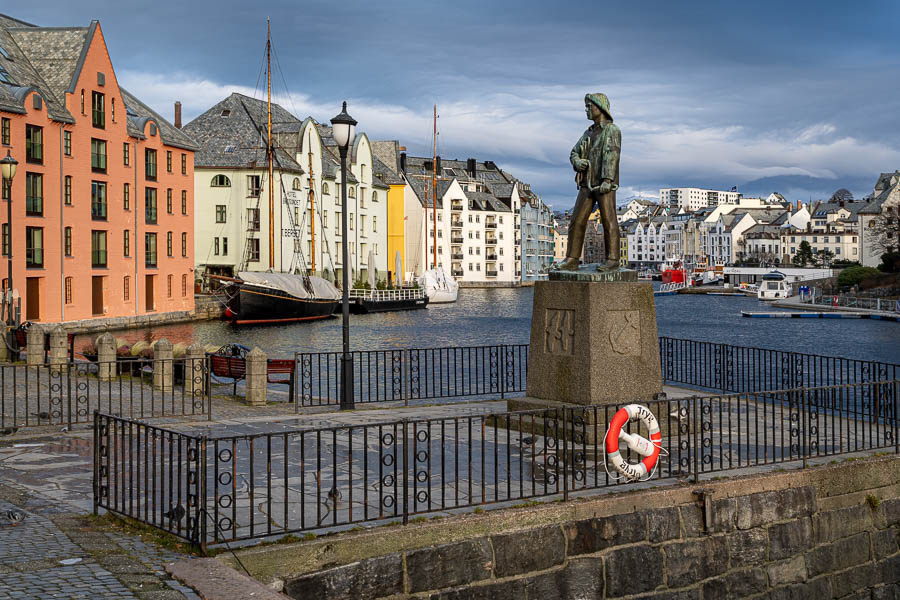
(649, 449)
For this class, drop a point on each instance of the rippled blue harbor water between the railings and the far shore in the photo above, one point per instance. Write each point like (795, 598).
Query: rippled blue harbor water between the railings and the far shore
(503, 316)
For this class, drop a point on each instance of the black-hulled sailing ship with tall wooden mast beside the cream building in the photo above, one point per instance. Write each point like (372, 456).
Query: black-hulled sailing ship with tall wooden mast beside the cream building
(277, 297)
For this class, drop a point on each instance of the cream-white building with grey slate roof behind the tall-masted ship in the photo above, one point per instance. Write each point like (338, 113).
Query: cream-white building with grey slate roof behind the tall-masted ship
(231, 198)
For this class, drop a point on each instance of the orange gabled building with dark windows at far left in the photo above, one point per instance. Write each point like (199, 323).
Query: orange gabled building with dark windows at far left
(102, 199)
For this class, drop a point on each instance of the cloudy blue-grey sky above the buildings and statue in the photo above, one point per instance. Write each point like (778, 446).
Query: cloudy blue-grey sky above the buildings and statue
(799, 97)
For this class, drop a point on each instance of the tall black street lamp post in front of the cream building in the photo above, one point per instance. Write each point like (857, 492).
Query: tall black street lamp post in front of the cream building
(343, 131)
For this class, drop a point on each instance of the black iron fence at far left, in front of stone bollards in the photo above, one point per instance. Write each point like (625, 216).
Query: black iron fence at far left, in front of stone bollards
(68, 394)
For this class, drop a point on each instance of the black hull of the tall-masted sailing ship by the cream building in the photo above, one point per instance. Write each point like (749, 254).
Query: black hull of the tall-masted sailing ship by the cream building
(257, 305)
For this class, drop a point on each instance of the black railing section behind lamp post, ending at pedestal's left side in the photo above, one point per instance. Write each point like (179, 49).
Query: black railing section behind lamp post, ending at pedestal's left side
(414, 374)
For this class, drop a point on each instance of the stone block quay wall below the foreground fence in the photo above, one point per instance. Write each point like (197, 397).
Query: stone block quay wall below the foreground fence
(821, 533)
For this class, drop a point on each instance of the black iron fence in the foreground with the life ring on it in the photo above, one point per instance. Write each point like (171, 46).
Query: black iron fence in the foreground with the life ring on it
(240, 487)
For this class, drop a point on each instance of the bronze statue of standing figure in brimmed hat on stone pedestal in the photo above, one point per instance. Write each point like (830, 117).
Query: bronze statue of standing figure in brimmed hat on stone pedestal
(595, 159)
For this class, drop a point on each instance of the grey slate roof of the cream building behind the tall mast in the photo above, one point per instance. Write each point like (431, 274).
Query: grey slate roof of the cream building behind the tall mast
(232, 134)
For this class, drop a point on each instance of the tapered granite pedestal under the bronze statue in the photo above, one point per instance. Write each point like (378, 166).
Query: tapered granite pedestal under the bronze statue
(593, 339)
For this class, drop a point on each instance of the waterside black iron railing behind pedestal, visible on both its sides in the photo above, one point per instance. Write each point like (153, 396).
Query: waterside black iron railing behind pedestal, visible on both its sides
(500, 370)
